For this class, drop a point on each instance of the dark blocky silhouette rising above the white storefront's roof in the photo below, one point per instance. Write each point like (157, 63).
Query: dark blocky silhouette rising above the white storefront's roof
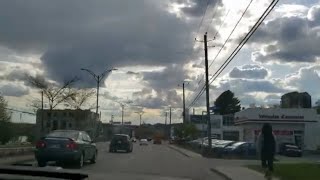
(296, 100)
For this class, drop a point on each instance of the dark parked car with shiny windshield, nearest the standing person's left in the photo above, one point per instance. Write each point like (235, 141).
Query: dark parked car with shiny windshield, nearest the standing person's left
(241, 150)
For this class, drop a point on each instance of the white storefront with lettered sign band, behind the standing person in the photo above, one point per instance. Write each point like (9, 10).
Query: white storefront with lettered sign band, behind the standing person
(299, 126)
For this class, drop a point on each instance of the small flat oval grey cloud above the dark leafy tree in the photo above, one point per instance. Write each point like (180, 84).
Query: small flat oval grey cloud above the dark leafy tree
(249, 71)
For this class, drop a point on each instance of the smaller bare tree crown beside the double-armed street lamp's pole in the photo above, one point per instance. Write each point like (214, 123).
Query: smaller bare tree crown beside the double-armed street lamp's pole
(80, 97)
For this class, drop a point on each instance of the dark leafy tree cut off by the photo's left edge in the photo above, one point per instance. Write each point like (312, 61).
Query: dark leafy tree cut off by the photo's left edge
(6, 132)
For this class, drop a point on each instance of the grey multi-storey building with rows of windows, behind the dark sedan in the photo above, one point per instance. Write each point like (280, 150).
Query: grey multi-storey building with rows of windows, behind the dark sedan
(83, 120)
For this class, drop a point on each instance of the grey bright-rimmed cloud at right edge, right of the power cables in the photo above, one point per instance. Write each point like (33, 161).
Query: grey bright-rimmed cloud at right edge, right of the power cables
(290, 39)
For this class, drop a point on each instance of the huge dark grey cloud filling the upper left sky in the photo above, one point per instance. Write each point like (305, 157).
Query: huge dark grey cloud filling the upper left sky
(97, 35)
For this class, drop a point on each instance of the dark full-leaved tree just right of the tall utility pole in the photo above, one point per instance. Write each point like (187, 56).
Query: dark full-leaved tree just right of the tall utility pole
(226, 103)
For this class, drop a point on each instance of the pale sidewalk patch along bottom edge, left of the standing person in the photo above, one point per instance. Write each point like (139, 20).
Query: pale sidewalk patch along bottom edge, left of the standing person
(239, 173)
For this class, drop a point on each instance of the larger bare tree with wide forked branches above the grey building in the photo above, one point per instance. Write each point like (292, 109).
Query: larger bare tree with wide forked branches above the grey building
(54, 93)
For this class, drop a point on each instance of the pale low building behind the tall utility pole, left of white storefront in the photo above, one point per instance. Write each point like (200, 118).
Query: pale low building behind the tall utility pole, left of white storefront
(222, 126)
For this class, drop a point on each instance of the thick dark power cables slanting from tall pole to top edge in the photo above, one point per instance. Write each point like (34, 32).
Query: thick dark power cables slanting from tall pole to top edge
(240, 45)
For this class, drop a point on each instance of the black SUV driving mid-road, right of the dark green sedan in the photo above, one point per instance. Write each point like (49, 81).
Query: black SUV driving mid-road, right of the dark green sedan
(120, 142)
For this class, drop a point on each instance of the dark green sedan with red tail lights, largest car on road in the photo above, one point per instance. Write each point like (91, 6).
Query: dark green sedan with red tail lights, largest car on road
(66, 146)
